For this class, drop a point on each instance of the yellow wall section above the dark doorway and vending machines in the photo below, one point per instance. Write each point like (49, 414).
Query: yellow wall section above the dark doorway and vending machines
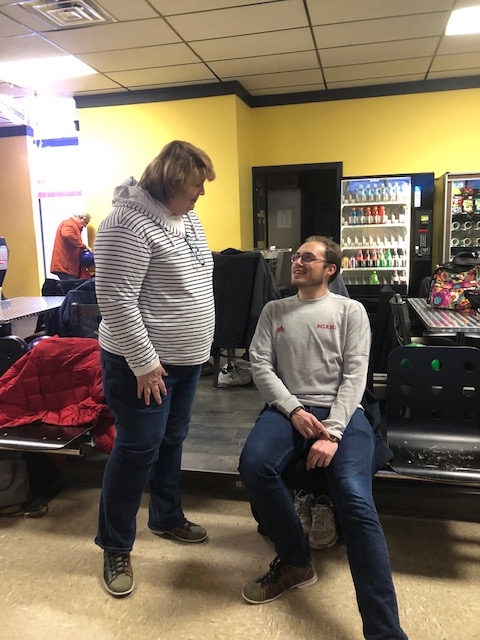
(395, 134)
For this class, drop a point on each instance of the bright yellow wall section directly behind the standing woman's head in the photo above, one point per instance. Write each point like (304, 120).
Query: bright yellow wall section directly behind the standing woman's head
(118, 142)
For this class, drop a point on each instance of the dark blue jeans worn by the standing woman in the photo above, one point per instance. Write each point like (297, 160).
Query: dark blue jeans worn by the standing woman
(147, 450)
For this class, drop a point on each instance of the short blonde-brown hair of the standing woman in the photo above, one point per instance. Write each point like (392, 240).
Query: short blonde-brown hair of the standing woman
(177, 165)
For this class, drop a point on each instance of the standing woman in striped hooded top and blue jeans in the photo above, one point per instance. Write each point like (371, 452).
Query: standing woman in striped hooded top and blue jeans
(154, 287)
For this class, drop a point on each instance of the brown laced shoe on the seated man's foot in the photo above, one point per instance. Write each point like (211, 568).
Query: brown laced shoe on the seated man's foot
(279, 578)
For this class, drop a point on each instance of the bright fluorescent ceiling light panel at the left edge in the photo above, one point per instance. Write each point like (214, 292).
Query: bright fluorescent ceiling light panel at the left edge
(39, 73)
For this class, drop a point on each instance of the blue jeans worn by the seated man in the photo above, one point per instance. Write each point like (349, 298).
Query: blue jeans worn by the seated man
(274, 444)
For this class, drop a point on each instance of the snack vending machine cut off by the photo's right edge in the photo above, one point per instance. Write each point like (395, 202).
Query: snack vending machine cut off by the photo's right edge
(460, 198)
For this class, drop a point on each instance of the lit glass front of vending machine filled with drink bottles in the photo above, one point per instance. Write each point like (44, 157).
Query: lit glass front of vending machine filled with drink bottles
(375, 230)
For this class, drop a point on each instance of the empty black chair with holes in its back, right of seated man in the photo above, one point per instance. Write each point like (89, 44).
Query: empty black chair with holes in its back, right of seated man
(433, 412)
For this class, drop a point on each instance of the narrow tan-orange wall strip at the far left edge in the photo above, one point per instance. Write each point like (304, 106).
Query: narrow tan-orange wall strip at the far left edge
(18, 217)
